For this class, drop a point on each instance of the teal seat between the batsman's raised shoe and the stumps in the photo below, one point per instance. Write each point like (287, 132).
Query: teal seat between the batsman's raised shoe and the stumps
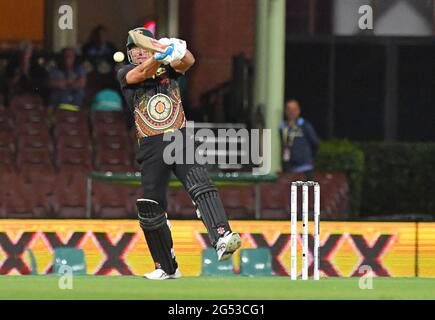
(256, 262)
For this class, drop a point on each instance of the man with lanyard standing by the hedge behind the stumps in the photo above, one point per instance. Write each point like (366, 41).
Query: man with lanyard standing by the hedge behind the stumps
(299, 142)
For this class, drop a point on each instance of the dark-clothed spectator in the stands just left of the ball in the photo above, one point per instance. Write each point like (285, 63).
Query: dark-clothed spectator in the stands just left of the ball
(98, 47)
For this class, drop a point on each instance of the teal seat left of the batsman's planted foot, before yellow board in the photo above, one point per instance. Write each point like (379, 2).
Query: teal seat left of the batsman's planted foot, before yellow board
(72, 257)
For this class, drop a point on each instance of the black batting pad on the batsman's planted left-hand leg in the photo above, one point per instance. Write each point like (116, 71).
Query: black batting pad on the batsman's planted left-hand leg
(153, 221)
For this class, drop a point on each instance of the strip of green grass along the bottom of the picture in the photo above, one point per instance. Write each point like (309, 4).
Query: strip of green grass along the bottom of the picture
(213, 288)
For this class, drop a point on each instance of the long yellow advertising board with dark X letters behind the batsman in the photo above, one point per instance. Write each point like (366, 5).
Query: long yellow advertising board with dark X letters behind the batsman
(114, 247)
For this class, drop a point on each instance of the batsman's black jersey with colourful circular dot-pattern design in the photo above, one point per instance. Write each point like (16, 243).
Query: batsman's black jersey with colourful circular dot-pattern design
(156, 102)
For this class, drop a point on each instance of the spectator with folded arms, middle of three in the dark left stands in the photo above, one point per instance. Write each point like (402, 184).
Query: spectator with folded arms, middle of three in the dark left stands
(68, 80)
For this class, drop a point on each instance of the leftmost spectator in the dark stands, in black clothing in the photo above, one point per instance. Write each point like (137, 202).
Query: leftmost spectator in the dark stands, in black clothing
(26, 75)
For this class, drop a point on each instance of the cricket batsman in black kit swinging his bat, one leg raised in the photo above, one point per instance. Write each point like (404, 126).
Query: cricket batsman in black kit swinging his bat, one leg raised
(149, 85)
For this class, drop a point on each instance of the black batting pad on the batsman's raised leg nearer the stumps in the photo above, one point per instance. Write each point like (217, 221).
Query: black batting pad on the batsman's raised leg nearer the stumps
(206, 197)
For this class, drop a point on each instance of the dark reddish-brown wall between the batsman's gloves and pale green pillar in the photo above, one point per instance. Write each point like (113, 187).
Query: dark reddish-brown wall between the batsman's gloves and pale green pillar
(215, 32)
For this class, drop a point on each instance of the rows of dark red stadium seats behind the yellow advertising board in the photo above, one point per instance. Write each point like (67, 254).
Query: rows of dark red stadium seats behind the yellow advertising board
(50, 155)
